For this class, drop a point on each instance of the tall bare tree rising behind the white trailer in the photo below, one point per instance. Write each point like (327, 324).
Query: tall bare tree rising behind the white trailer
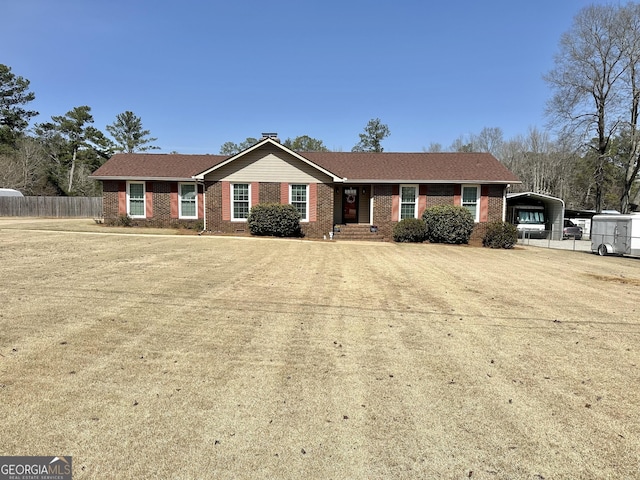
(595, 87)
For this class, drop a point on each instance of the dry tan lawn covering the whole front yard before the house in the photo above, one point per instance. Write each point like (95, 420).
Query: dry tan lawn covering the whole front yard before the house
(220, 358)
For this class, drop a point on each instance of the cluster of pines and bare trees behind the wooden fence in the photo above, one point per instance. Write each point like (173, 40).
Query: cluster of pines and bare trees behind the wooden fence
(56, 157)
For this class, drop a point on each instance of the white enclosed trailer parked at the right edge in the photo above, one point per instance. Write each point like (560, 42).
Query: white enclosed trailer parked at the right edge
(616, 234)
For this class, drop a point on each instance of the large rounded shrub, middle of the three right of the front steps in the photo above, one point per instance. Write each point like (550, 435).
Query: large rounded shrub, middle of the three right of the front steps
(448, 224)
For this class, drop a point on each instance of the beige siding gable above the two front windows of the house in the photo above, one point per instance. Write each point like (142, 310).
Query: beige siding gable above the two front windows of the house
(269, 165)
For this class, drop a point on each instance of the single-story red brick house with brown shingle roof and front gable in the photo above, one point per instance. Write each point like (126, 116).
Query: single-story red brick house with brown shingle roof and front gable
(327, 188)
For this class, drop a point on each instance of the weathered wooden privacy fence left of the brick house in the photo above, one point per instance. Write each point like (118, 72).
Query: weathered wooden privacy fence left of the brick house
(89, 207)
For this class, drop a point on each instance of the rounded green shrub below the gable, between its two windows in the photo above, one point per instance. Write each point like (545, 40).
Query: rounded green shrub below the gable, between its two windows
(274, 219)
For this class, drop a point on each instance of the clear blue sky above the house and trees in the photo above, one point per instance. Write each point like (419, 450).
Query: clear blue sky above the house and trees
(200, 73)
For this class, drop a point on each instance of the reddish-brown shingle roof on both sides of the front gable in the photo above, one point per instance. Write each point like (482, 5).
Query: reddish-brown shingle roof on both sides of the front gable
(401, 167)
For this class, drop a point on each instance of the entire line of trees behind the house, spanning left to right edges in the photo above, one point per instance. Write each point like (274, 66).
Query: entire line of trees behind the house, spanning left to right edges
(592, 163)
